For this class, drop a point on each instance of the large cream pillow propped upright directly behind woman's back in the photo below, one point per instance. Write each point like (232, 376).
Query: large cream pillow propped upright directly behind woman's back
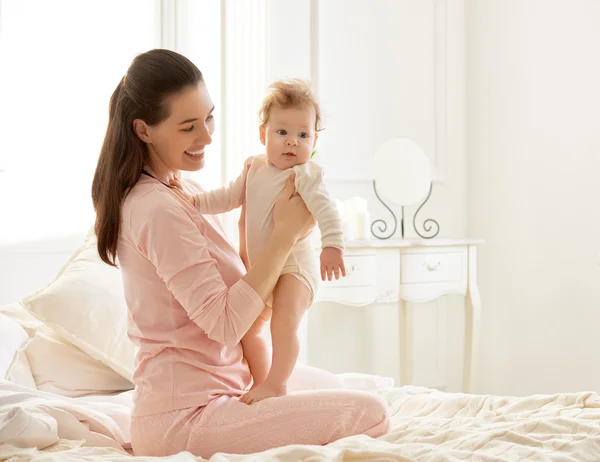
(86, 306)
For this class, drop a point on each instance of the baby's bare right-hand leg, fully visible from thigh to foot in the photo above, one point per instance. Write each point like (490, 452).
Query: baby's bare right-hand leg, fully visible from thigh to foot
(291, 299)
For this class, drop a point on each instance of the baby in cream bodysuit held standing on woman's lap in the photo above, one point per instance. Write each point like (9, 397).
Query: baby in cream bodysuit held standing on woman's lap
(290, 120)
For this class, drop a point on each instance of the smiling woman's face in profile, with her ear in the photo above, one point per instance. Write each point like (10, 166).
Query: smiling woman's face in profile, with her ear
(178, 142)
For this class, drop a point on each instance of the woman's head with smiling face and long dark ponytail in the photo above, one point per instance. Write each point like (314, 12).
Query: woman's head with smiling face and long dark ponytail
(161, 92)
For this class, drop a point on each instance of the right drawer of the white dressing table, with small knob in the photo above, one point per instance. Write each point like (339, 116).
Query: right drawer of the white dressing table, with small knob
(432, 267)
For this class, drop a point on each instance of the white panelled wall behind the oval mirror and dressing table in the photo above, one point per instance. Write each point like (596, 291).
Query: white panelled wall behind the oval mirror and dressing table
(388, 68)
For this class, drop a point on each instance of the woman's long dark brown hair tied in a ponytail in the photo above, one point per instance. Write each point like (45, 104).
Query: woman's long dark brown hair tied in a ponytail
(142, 93)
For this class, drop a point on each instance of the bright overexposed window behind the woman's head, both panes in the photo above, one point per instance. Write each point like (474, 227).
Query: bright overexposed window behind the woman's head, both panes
(60, 61)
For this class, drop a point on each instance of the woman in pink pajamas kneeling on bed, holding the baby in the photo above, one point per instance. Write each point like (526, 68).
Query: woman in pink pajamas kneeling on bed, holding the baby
(189, 297)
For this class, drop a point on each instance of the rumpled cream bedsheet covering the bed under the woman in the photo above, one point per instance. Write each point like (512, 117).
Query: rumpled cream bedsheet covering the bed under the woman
(427, 425)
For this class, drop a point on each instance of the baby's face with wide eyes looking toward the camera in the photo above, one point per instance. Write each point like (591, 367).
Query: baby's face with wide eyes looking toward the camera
(289, 136)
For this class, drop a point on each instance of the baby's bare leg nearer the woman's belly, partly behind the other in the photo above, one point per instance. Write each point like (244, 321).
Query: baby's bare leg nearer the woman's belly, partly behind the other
(256, 349)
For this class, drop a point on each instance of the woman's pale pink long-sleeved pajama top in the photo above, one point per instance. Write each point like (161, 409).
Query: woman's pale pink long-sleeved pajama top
(188, 306)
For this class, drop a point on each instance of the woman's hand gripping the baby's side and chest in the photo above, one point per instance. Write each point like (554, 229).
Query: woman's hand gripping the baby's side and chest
(290, 215)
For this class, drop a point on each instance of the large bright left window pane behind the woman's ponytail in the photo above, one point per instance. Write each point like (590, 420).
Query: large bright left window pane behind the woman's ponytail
(59, 63)
